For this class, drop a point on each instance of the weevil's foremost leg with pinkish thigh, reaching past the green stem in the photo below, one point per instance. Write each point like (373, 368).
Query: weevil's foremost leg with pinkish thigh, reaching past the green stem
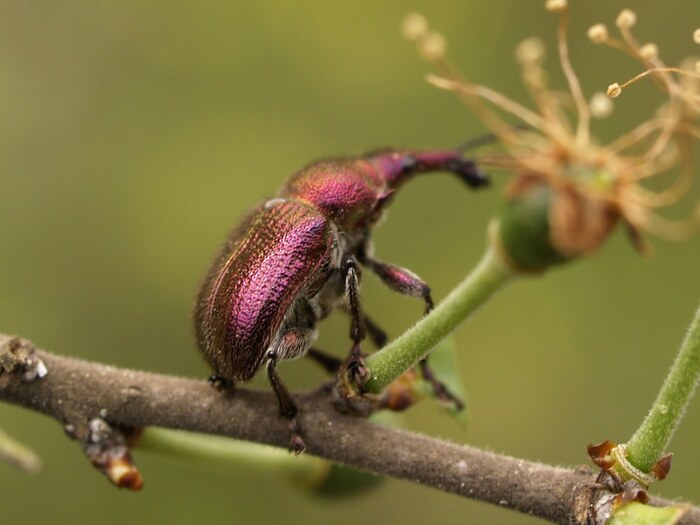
(408, 283)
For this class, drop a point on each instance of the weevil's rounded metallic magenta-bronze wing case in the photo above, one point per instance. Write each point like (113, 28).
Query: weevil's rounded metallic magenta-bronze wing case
(275, 258)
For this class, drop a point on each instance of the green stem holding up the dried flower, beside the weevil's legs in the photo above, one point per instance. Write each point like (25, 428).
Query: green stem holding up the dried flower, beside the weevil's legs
(403, 353)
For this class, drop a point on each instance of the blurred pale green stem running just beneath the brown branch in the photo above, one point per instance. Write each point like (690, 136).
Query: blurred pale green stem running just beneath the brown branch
(240, 454)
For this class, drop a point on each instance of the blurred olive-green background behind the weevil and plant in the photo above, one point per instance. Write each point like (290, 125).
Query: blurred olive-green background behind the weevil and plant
(134, 134)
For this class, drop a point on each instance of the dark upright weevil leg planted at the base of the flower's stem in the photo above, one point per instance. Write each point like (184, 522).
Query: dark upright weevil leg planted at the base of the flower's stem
(355, 363)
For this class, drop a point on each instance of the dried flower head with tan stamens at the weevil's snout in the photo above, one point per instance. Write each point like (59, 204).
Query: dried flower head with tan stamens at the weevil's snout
(585, 188)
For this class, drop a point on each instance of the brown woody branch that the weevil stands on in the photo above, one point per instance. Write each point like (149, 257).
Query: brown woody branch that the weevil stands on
(75, 391)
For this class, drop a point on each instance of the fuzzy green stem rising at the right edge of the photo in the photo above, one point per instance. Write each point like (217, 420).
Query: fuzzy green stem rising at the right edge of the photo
(649, 442)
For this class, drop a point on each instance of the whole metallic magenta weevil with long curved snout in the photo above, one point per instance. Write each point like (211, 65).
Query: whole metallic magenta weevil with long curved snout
(296, 257)
